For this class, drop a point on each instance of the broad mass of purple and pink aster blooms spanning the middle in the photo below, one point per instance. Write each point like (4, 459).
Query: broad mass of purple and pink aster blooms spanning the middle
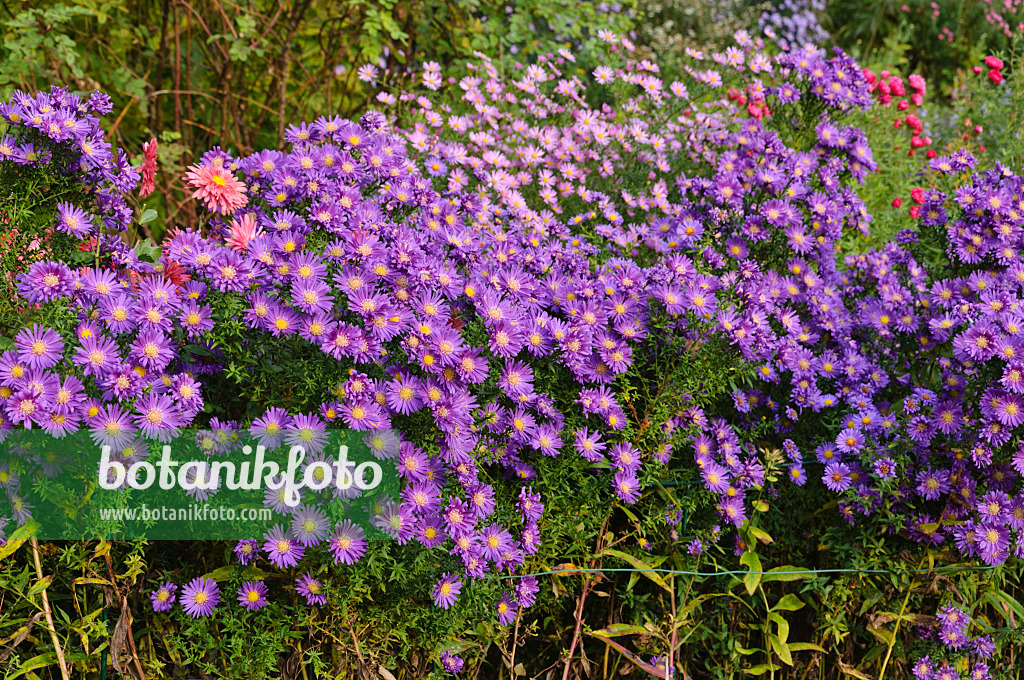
(447, 271)
